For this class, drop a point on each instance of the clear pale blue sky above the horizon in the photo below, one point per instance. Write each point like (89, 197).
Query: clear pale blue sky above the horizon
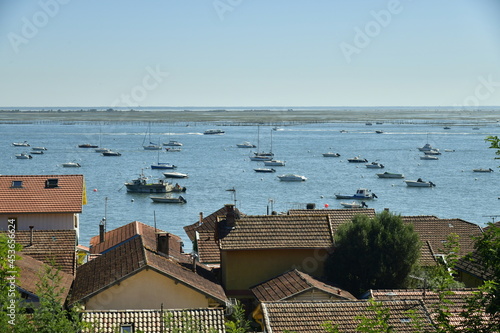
(122, 53)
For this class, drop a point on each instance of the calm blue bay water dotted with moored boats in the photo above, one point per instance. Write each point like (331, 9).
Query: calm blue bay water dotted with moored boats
(214, 165)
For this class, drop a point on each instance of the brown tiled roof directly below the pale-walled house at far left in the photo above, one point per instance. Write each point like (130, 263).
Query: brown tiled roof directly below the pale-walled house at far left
(51, 247)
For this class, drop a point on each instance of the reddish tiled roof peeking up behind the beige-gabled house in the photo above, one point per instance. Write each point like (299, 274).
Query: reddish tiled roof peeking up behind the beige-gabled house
(124, 233)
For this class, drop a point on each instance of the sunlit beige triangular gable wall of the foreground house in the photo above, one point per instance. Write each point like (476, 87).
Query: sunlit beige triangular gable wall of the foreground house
(147, 289)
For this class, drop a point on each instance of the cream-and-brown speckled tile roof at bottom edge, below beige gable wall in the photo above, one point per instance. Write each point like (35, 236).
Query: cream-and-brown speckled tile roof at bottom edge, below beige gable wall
(152, 321)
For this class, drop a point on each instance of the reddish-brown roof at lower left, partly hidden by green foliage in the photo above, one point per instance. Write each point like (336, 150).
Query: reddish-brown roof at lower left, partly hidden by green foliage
(29, 276)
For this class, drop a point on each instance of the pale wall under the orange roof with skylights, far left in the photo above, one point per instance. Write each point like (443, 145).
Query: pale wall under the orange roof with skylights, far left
(48, 221)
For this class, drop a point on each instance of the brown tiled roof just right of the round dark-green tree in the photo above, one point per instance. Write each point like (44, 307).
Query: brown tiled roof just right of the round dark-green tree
(435, 231)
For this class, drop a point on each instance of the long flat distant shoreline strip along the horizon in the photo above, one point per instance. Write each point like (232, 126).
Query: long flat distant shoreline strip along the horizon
(255, 116)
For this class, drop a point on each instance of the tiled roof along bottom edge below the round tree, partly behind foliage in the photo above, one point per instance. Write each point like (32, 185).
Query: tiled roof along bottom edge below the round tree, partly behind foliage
(308, 317)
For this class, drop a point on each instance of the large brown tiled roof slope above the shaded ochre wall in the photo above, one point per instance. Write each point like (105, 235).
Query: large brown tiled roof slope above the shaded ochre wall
(278, 232)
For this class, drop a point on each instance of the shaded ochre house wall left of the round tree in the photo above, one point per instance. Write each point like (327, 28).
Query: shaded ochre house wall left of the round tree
(243, 269)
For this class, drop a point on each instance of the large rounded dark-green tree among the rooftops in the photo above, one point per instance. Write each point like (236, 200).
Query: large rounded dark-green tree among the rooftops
(375, 253)
